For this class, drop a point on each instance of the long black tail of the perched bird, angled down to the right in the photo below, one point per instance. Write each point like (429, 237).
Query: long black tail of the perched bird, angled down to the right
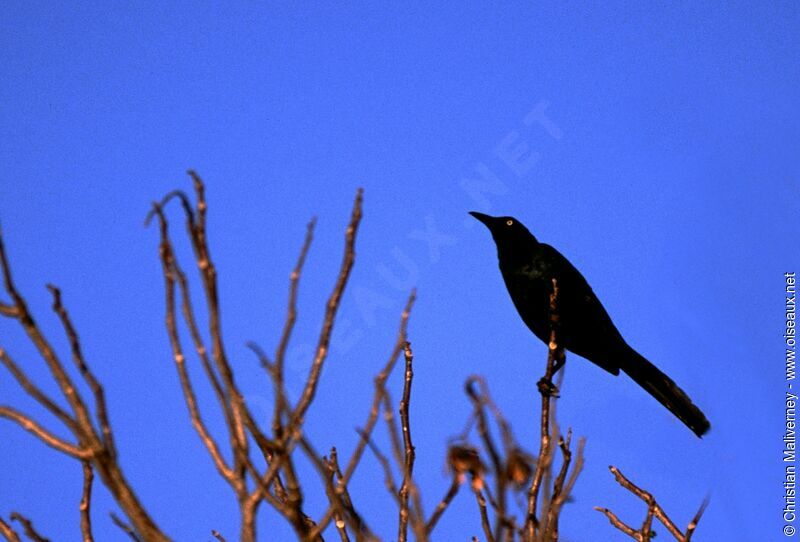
(666, 391)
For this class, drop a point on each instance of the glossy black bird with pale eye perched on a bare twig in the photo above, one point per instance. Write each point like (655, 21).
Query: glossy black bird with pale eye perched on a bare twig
(585, 328)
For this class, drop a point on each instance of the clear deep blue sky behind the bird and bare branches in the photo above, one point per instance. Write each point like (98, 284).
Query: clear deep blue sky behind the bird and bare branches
(666, 171)
